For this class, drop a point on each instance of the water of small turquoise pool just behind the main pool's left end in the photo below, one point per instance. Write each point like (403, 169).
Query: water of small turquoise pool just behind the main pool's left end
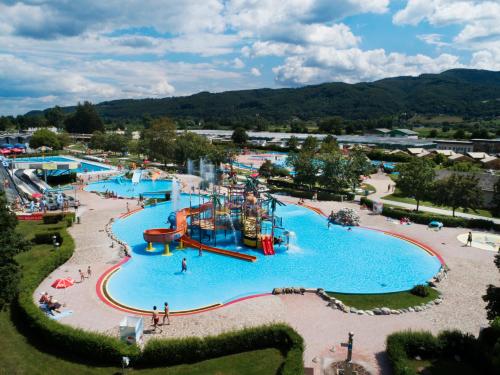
(125, 188)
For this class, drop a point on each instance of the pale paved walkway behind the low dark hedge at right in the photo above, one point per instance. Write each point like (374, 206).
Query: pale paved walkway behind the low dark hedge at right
(381, 181)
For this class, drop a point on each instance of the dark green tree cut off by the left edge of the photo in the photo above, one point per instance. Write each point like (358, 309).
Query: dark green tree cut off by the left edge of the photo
(11, 243)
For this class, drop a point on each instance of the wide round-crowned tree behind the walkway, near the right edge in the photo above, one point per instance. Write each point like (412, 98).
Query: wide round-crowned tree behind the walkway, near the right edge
(458, 191)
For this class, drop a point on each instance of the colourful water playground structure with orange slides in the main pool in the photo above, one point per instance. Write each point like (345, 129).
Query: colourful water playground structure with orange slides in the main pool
(244, 210)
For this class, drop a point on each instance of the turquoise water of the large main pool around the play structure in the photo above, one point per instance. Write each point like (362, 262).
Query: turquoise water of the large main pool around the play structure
(357, 261)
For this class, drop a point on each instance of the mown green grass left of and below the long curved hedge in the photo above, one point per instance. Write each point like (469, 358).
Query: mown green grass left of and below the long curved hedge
(22, 354)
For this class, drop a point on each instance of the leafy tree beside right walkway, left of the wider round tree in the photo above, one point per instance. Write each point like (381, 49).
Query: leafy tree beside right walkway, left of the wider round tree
(416, 178)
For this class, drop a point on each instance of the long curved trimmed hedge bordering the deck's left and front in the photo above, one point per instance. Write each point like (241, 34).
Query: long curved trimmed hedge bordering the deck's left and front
(77, 344)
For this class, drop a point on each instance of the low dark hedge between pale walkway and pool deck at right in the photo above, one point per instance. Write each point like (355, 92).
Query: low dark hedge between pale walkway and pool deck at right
(422, 217)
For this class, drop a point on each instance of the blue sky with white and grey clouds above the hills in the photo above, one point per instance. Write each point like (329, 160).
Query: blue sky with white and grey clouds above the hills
(65, 51)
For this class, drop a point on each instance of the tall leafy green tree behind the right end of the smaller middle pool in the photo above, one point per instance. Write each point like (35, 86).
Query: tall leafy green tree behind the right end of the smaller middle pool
(159, 140)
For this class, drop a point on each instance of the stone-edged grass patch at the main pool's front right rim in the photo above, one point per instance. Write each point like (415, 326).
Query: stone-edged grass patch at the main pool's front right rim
(398, 300)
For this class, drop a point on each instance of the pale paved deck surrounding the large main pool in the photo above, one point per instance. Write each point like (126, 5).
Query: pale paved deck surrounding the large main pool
(322, 328)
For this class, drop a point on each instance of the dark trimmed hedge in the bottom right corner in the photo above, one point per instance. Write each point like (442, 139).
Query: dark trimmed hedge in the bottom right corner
(402, 347)
